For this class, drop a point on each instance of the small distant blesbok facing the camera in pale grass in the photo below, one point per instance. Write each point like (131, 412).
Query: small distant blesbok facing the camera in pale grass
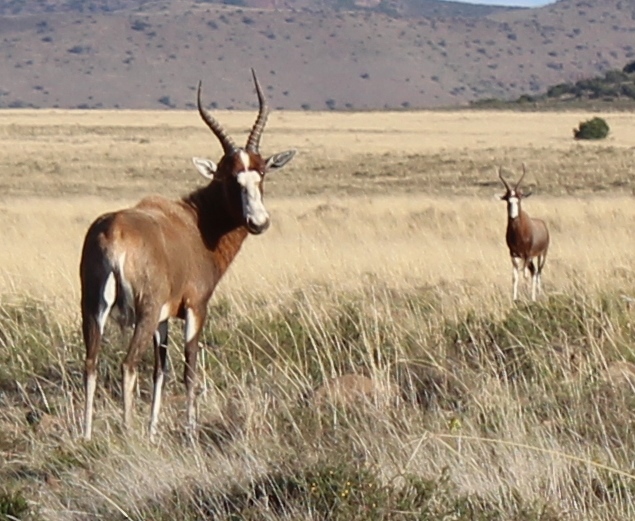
(527, 238)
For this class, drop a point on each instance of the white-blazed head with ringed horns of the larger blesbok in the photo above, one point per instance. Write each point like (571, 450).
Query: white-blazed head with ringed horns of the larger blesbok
(242, 170)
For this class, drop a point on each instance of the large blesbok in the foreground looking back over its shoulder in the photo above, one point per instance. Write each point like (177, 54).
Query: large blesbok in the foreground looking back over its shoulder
(163, 258)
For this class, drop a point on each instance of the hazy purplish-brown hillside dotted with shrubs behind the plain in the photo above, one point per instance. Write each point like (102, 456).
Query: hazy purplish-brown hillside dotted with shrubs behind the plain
(322, 54)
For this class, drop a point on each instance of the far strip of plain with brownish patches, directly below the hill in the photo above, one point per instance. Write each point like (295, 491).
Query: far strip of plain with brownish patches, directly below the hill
(128, 154)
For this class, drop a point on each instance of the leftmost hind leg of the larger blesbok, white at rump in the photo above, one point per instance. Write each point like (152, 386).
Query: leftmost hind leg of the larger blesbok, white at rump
(95, 311)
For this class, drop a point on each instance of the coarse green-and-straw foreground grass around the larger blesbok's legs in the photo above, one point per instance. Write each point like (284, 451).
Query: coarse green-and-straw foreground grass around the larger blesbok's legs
(520, 412)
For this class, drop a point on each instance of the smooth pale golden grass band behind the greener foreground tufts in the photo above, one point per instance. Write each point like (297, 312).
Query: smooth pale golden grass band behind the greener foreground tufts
(406, 241)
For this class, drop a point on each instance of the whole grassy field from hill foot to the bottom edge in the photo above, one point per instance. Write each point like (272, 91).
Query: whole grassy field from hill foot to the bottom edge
(386, 258)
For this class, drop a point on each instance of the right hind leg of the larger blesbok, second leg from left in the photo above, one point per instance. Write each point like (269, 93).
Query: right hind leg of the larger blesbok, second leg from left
(141, 338)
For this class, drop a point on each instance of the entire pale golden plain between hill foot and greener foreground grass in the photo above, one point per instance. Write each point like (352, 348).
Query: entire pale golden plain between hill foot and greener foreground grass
(62, 169)
